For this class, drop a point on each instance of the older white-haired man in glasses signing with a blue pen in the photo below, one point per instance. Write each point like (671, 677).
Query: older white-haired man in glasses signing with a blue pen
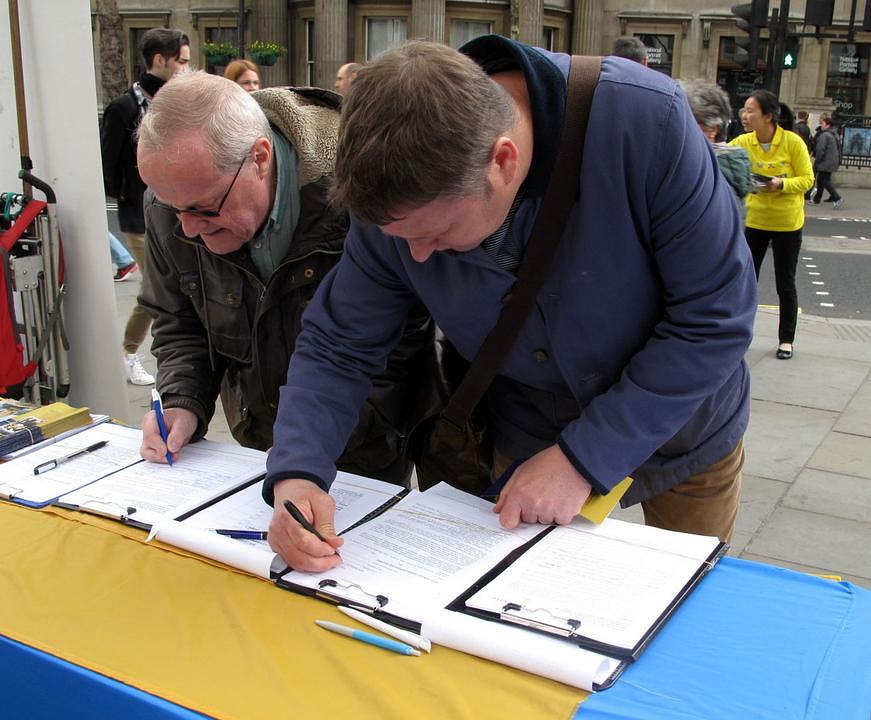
(240, 234)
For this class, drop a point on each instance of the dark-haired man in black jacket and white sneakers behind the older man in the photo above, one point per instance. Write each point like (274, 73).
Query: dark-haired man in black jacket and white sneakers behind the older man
(166, 52)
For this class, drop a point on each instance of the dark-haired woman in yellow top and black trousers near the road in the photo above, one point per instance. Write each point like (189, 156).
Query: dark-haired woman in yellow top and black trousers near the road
(775, 214)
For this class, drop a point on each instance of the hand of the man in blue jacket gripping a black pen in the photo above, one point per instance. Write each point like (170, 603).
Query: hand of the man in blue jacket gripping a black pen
(297, 546)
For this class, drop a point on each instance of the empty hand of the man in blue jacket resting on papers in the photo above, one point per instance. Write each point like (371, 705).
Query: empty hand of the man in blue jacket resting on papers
(545, 489)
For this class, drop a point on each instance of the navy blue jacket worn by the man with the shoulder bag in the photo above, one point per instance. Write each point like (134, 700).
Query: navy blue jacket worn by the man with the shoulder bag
(643, 320)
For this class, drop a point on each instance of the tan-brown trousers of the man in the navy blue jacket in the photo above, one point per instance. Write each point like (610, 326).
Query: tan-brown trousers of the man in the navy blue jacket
(704, 504)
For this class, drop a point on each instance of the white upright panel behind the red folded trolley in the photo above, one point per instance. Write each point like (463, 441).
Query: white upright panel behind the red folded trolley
(57, 60)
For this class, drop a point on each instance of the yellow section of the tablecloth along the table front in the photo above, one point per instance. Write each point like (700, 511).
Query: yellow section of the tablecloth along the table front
(211, 639)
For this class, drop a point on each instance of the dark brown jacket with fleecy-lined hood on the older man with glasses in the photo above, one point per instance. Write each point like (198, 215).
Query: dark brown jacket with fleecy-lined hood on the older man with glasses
(219, 329)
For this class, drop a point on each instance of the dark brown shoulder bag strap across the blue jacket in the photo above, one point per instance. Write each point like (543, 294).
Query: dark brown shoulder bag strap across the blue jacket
(561, 192)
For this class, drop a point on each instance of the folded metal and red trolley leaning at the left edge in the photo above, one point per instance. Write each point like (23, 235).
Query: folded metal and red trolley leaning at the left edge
(33, 346)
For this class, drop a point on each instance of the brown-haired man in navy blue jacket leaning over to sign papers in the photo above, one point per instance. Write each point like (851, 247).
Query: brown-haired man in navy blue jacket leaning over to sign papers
(632, 361)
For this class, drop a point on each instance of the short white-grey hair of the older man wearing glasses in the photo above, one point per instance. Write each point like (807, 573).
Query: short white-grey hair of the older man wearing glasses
(226, 117)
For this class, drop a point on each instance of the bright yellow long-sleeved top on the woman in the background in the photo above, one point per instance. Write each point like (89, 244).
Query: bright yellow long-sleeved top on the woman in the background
(787, 158)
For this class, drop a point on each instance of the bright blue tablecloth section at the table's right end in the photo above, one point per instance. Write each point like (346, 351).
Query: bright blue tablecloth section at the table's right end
(752, 641)
